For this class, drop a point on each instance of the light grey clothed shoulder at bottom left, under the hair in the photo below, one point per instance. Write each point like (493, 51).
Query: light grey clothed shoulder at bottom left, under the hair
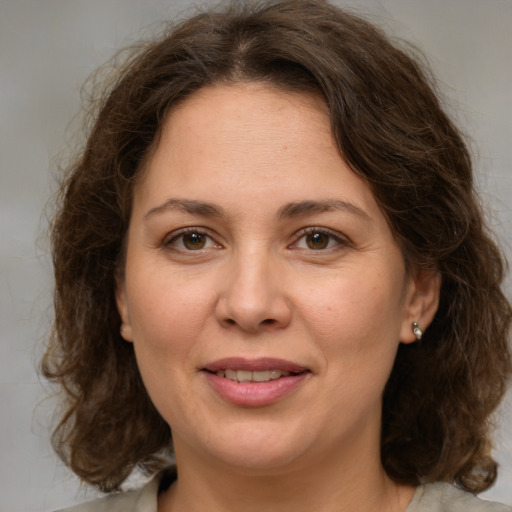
(140, 500)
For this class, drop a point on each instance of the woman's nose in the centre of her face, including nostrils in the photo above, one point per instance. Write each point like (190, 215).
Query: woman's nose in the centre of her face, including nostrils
(253, 296)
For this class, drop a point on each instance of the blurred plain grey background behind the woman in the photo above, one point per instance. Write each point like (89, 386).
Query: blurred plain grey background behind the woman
(49, 47)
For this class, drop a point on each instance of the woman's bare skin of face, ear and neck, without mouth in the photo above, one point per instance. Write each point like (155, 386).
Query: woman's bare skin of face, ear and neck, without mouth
(254, 282)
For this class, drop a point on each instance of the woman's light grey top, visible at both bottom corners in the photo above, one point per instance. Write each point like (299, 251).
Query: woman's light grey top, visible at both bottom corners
(438, 497)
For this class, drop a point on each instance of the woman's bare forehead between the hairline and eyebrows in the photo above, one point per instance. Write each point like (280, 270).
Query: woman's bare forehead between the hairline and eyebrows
(246, 142)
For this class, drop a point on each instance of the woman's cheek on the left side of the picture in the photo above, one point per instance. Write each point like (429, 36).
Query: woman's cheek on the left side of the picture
(168, 317)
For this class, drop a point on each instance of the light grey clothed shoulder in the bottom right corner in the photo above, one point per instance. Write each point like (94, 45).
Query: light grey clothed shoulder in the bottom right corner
(443, 497)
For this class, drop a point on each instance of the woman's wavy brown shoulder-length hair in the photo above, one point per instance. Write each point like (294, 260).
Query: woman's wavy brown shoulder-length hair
(391, 129)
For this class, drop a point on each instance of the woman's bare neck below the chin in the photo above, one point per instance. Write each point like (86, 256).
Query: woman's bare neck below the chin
(330, 482)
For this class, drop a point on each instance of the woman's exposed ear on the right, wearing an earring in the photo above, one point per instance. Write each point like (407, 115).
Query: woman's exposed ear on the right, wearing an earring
(422, 301)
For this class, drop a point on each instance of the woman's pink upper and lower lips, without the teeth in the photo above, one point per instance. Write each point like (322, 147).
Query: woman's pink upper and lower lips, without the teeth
(254, 394)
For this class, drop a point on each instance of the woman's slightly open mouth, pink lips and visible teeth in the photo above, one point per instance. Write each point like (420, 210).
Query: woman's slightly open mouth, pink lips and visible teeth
(256, 382)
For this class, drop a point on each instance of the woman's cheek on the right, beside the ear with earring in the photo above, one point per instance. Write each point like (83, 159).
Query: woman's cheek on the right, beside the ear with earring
(356, 320)
